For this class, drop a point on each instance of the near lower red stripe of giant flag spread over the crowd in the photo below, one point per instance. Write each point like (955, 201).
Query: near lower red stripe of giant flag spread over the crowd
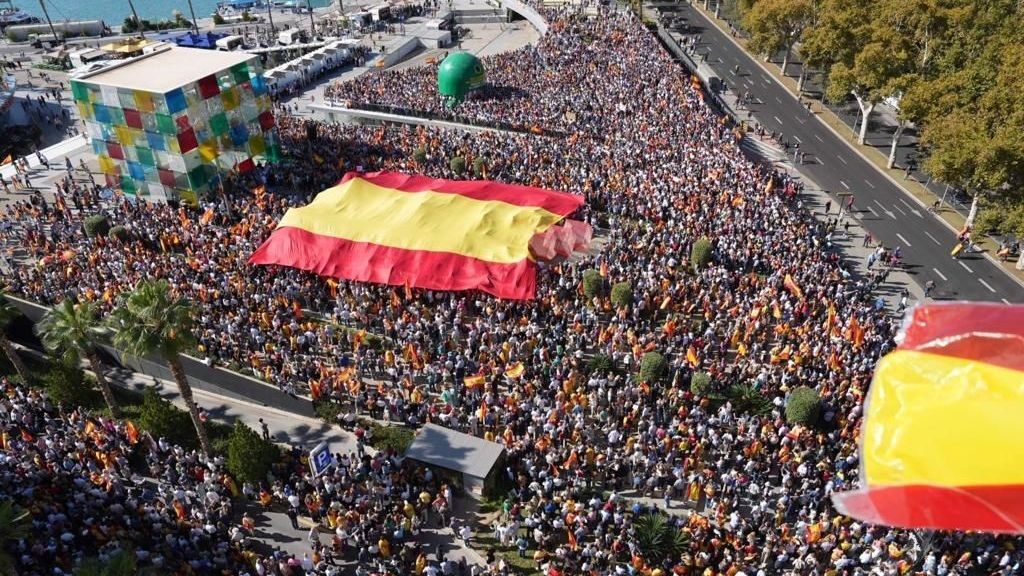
(363, 262)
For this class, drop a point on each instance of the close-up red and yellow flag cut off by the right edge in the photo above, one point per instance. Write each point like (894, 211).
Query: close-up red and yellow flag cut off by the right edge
(943, 443)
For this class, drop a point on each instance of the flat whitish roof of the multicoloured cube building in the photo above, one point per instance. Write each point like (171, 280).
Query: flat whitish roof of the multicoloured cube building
(163, 71)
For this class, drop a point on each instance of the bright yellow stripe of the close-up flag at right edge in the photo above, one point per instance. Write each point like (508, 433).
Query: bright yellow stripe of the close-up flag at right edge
(944, 421)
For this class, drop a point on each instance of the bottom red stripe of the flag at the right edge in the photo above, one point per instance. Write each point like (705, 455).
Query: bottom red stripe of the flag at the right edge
(988, 509)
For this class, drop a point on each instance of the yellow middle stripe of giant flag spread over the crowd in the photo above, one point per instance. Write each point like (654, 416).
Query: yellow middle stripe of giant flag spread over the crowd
(361, 212)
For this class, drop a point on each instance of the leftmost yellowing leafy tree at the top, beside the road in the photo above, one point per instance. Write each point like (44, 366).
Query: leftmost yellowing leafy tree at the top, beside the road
(777, 25)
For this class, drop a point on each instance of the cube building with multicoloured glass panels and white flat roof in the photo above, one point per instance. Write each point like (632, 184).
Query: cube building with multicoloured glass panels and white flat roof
(169, 125)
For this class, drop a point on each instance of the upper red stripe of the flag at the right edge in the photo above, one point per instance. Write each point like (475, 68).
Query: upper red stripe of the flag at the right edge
(969, 331)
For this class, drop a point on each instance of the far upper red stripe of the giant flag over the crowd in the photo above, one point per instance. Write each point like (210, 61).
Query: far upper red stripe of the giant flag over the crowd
(556, 202)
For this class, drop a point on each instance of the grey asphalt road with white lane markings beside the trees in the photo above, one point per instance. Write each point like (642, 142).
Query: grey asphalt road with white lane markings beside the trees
(889, 214)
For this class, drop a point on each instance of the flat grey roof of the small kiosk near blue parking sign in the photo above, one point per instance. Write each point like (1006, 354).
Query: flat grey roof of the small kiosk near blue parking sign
(453, 450)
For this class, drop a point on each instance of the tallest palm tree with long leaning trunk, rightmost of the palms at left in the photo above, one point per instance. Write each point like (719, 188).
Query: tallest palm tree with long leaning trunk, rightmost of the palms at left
(150, 320)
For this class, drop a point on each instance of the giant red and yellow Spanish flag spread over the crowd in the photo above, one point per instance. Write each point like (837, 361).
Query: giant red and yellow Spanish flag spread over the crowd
(442, 235)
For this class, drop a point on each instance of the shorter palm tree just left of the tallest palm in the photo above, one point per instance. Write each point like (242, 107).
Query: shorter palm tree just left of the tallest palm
(76, 332)
